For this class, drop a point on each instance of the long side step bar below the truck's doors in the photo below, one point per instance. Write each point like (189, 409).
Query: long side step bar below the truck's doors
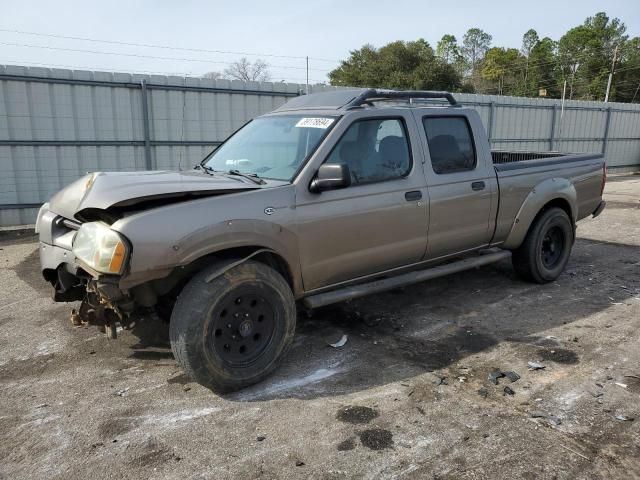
(376, 286)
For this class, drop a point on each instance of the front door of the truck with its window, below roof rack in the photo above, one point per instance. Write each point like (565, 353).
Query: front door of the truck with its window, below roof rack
(380, 221)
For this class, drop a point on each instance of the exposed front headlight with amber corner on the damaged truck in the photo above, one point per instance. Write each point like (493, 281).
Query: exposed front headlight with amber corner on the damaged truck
(100, 248)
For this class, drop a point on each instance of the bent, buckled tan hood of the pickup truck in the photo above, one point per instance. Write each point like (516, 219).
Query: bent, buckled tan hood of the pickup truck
(122, 191)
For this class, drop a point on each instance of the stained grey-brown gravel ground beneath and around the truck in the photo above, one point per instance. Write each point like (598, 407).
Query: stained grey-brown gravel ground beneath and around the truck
(408, 396)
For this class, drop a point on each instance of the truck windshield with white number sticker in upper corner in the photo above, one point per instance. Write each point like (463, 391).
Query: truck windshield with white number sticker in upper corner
(271, 147)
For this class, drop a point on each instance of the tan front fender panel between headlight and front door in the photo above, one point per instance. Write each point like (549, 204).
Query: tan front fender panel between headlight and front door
(177, 235)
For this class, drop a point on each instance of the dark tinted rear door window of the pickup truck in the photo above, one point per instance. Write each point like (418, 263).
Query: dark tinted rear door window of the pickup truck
(450, 144)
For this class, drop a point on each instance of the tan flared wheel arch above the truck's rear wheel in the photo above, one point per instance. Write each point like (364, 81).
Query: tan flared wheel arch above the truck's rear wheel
(543, 193)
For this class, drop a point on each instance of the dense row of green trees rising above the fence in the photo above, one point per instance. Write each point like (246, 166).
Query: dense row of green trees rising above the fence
(583, 57)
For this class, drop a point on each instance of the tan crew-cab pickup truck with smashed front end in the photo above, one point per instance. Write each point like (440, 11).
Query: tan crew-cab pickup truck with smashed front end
(330, 197)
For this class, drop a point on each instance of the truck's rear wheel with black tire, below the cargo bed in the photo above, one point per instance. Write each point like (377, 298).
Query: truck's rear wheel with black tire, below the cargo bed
(546, 249)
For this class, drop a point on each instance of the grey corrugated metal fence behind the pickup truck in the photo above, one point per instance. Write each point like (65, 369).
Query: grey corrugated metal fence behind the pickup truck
(55, 125)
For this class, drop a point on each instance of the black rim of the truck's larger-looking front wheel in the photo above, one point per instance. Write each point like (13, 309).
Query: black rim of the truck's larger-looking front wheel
(243, 326)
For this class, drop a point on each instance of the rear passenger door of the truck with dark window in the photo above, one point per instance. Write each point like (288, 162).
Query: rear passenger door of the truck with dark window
(463, 189)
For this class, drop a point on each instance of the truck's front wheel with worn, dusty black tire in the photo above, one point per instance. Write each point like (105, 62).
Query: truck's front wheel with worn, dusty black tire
(233, 331)
